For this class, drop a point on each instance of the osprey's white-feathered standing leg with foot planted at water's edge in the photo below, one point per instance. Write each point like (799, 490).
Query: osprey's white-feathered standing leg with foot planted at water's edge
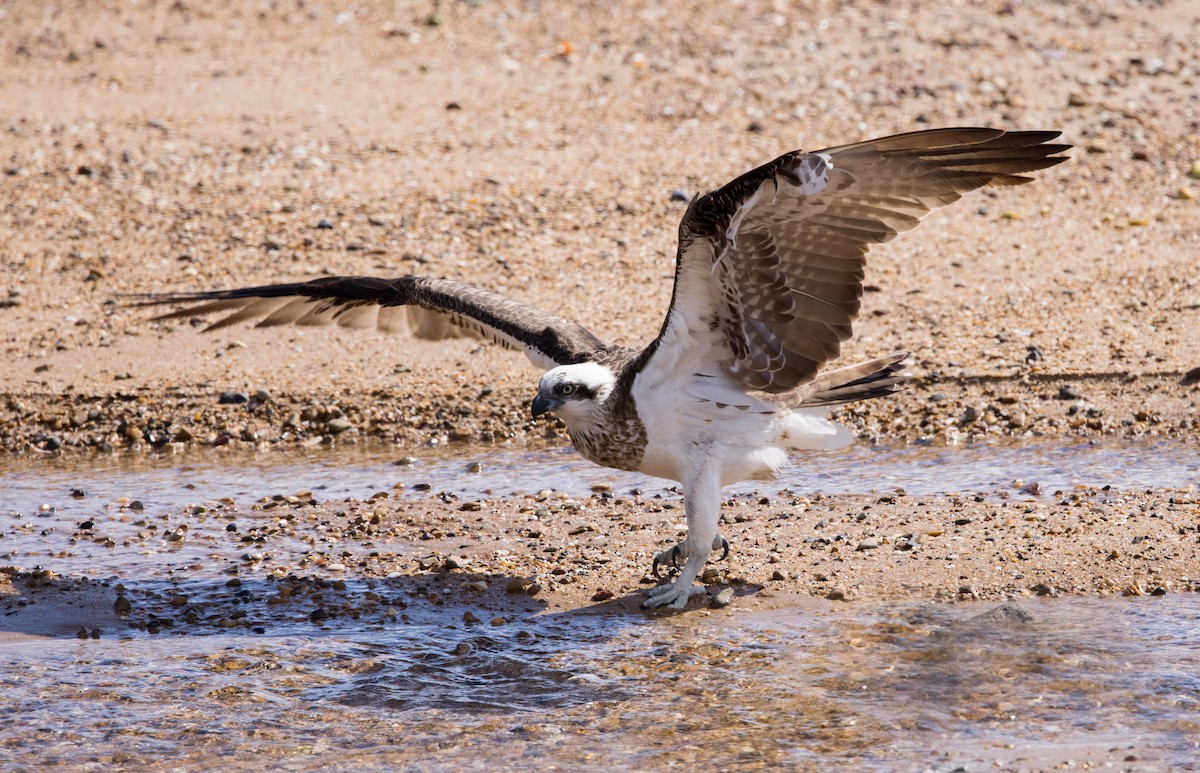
(703, 504)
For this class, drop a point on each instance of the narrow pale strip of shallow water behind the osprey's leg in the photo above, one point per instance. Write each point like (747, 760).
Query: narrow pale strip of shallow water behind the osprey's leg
(169, 482)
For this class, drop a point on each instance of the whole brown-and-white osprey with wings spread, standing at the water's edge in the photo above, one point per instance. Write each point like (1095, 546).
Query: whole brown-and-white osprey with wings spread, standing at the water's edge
(769, 280)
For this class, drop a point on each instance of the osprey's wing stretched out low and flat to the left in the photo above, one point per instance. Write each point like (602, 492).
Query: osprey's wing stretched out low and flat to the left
(415, 305)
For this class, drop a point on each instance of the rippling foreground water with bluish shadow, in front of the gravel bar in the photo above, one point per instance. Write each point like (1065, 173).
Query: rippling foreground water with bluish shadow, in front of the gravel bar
(872, 687)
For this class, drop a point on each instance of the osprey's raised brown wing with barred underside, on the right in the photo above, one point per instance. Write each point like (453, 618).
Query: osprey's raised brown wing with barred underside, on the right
(770, 272)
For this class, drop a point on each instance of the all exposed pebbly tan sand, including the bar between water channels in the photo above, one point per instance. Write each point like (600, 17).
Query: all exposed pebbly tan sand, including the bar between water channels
(533, 148)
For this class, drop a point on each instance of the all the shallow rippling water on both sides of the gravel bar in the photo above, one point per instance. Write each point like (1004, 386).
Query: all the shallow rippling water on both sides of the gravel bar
(818, 686)
